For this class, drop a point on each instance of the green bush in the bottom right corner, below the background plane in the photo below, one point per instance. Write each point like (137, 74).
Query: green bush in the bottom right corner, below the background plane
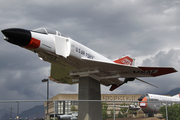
(173, 111)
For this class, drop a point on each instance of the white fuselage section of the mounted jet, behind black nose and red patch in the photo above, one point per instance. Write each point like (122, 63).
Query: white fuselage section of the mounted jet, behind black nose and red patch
(55, 43)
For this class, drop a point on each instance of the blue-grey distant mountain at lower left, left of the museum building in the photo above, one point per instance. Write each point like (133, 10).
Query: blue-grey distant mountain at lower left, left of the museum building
(35, 112)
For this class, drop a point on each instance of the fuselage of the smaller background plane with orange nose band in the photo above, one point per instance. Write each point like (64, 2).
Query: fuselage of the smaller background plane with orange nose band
(150, 103)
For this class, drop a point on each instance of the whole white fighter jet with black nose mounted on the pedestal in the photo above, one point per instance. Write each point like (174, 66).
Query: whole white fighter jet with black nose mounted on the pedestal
(71, 60)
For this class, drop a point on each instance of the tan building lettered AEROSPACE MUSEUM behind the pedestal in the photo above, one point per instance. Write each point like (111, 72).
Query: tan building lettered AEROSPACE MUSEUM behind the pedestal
(66, 103)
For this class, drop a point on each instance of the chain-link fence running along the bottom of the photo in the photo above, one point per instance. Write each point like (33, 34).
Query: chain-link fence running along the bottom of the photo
(55, 109)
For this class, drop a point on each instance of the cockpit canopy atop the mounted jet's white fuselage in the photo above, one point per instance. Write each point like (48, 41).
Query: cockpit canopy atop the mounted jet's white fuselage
(48, 31)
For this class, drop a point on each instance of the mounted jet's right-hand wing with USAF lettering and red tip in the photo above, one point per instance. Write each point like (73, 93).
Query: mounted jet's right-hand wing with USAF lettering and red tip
(129, 71)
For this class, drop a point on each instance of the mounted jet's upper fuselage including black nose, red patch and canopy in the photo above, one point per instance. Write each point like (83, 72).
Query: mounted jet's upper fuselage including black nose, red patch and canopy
(52, 42)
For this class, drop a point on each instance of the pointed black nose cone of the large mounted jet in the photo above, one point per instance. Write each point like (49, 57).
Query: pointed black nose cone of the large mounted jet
(17, 36)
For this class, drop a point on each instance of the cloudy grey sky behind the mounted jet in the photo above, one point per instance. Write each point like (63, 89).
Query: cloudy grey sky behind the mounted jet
(148, 31)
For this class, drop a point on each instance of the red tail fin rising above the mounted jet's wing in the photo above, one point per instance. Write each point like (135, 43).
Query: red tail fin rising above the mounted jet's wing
(125, 61)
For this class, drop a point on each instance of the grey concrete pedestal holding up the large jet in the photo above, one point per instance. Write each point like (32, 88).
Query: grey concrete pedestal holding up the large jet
(89, 89)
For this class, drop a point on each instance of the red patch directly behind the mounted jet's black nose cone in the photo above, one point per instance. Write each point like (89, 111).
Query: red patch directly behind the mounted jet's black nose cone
(34, 43)
